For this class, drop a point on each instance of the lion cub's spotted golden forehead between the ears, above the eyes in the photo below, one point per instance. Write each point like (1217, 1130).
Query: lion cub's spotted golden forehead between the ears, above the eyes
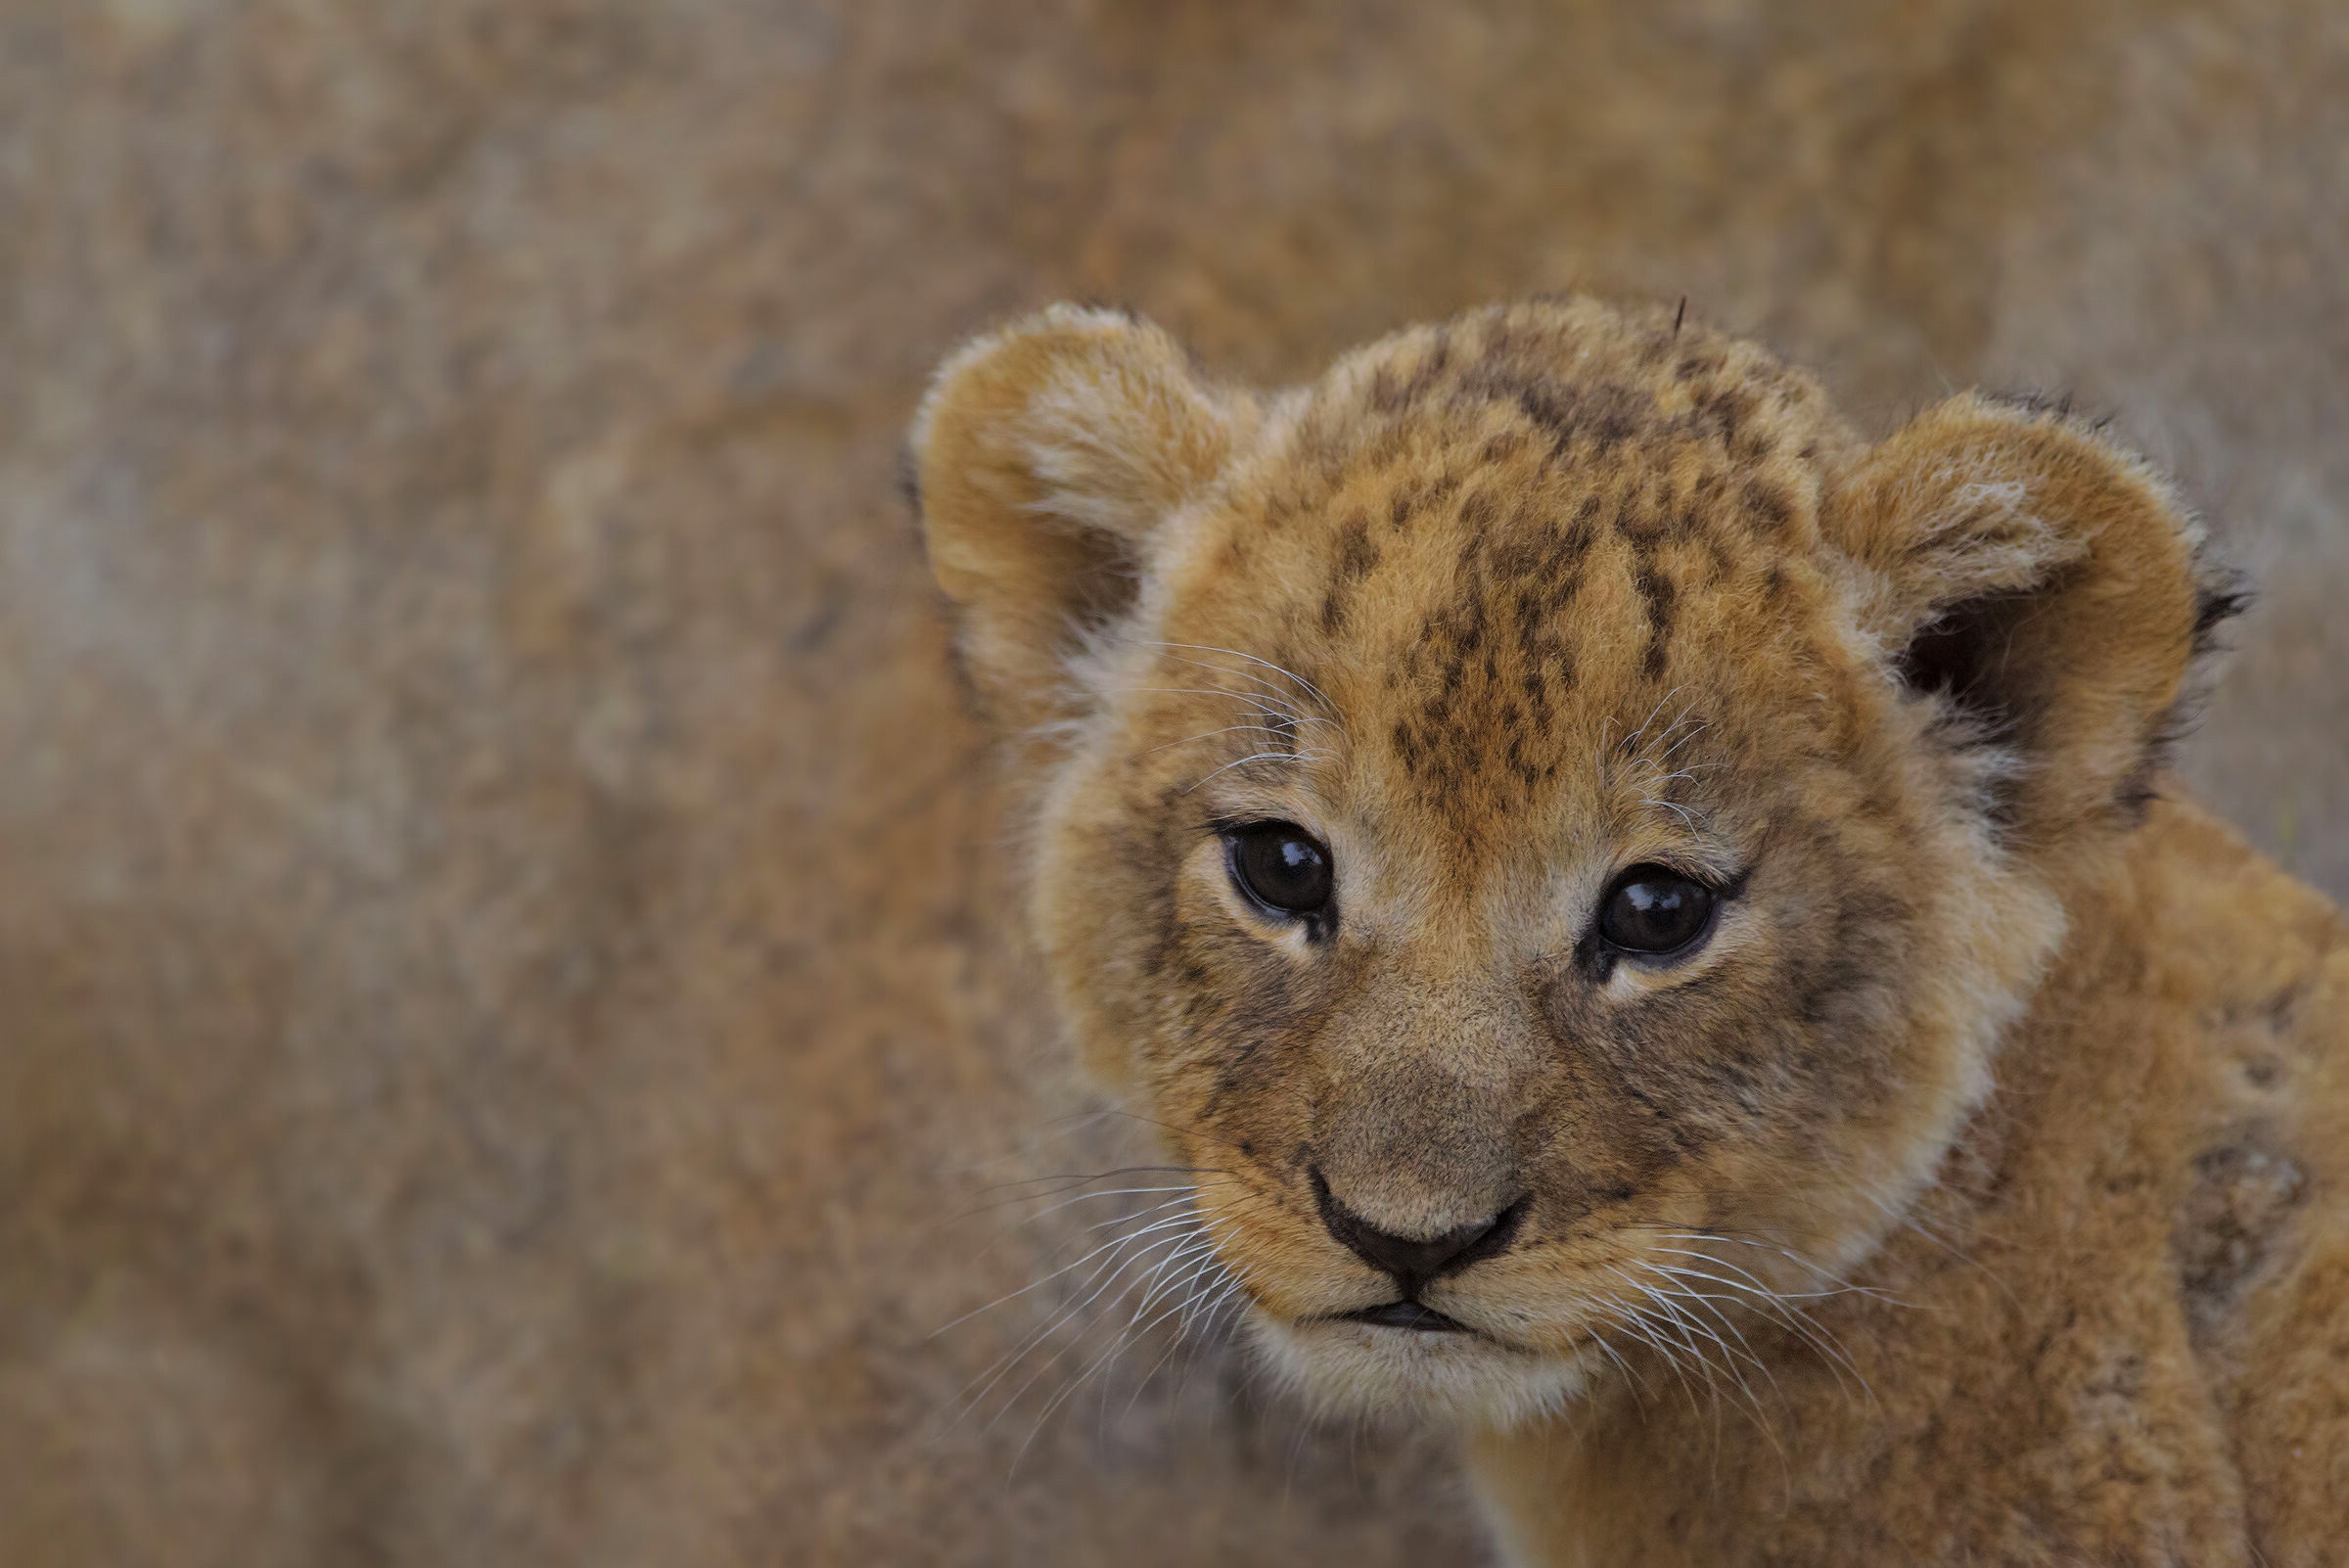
(1497, 536)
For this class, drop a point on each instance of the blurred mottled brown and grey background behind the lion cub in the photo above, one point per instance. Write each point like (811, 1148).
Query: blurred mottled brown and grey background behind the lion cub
(511, 1036)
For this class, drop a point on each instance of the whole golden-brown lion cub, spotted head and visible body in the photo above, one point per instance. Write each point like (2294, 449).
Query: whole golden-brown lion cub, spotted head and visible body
(1660, 926)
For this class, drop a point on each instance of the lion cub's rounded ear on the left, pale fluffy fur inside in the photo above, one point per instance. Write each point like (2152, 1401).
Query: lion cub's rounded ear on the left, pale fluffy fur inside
(1046, 459)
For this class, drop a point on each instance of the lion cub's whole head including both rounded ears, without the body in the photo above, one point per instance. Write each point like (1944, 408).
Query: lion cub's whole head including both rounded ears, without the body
(1547, 818)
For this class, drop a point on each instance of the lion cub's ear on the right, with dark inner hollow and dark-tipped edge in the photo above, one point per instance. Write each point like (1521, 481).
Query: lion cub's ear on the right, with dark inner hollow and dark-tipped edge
(2047, 593)
